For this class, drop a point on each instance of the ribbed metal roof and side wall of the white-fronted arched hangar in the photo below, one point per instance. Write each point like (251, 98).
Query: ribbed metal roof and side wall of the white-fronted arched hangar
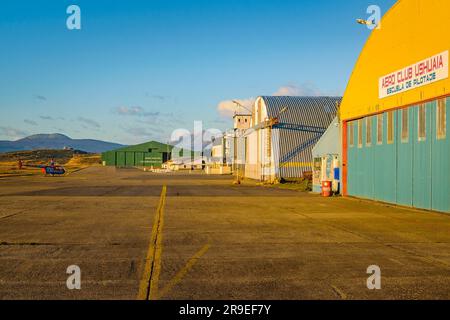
(293, 148)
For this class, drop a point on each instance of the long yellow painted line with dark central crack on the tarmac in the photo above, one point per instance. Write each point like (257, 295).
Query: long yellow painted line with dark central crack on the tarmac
(150, 277)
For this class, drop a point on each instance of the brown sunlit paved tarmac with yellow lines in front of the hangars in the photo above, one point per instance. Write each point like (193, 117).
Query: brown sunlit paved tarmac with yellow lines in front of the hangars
(210, 239)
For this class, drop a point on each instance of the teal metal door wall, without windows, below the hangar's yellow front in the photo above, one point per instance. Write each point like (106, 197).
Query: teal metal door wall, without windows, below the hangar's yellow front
(413, 172)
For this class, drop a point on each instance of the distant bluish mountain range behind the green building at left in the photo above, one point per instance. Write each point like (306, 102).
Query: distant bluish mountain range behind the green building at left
(57, 141)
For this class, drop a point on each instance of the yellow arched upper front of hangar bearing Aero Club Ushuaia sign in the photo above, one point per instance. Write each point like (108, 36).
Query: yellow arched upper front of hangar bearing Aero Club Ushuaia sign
(412, 43)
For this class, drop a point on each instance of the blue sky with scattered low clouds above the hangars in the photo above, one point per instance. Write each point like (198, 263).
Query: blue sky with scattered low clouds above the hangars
(139, 69)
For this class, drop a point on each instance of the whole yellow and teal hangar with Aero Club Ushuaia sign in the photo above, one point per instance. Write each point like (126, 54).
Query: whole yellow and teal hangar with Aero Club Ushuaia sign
(395, 109)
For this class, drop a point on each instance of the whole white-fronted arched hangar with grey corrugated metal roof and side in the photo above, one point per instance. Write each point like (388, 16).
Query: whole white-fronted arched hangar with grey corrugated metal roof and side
(282, 133)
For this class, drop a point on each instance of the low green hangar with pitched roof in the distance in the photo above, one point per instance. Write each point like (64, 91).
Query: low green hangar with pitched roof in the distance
(142, 155)
